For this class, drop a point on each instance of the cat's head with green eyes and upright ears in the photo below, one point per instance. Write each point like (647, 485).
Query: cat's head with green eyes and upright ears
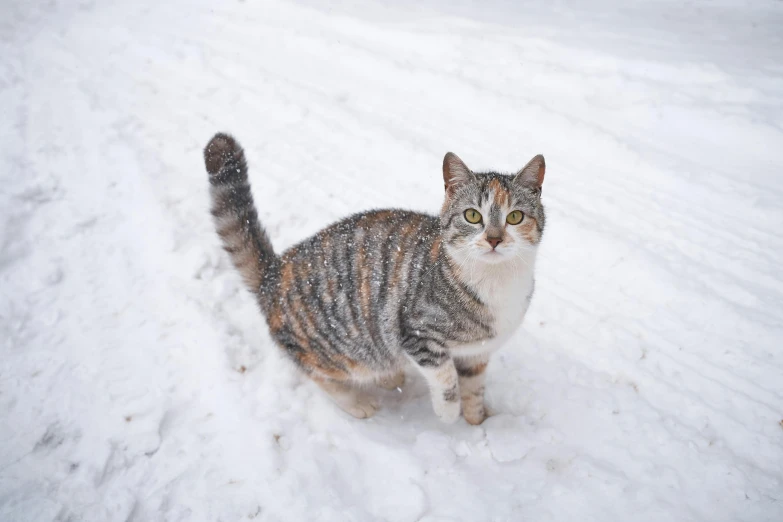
(489, 217)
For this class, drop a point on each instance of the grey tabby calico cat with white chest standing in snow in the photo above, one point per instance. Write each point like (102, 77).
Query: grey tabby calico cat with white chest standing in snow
(371, 293)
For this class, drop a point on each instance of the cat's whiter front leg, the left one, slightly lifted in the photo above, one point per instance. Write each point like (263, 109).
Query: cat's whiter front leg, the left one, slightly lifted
(437, 367)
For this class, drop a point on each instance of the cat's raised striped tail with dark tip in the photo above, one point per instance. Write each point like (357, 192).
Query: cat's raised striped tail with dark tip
(236, 219)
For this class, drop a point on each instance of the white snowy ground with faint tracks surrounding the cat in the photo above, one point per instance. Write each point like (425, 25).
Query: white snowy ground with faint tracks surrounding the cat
(138, 383)
